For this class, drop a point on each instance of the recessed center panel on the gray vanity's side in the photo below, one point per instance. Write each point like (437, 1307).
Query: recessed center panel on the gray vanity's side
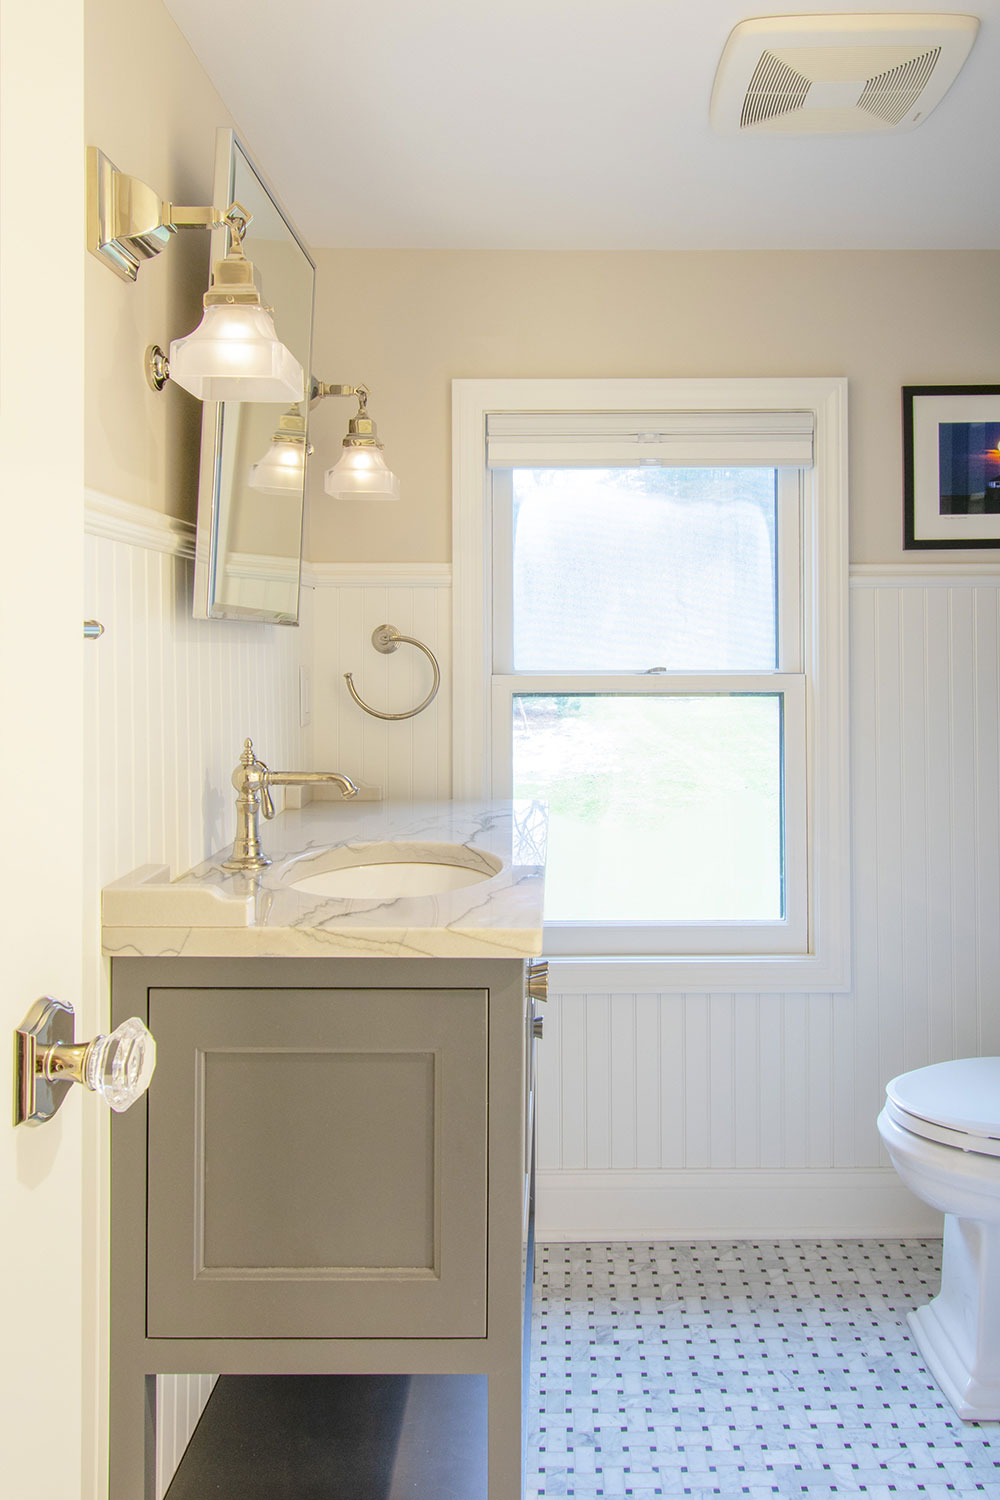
(368, 1204)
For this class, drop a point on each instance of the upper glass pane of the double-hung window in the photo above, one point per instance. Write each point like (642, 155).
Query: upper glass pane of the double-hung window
(623, 571)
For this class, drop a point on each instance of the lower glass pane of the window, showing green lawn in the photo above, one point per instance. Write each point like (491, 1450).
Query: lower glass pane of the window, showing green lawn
(662, 809)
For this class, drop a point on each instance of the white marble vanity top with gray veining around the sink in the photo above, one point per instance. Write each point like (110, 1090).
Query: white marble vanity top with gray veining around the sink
(215, 913)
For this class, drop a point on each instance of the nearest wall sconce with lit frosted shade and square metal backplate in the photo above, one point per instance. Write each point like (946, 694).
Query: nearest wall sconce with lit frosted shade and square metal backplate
(235, 353)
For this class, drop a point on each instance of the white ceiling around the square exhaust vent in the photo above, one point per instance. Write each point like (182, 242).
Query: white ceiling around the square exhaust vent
(575, 125)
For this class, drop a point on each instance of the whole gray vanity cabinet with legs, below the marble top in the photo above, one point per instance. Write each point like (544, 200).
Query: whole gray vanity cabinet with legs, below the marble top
(331, 1174)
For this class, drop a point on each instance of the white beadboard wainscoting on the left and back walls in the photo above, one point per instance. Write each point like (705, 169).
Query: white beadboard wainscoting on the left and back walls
(662, 1115)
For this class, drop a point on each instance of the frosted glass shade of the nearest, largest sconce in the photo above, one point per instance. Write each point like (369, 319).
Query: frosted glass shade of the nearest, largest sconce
(235, 355)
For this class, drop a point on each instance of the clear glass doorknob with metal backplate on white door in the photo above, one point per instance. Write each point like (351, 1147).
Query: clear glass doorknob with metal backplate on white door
(47, 1061)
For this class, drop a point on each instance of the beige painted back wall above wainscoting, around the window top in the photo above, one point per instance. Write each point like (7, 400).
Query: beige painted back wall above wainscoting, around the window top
(410, 322)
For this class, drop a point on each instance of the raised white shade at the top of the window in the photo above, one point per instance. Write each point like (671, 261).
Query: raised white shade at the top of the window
(668, 439)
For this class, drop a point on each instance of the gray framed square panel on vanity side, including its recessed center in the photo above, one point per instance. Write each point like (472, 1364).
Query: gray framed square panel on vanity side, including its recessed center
(317, 1165)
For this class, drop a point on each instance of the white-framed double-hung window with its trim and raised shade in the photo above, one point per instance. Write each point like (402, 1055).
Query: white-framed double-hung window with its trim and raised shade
(654, 575)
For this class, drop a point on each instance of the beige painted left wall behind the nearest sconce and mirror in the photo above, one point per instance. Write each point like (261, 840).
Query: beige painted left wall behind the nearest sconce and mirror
(152, 109)
